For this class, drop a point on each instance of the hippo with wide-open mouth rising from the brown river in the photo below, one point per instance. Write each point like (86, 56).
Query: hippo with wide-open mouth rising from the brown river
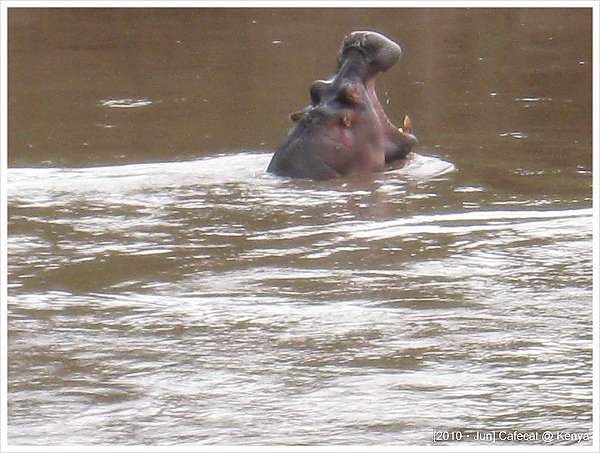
(344, 131)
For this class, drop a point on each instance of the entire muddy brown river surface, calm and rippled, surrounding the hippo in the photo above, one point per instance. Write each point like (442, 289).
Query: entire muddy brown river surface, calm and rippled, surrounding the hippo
(164, 290)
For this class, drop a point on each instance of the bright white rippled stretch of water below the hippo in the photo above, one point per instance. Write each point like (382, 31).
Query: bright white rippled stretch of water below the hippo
(209, 293)
